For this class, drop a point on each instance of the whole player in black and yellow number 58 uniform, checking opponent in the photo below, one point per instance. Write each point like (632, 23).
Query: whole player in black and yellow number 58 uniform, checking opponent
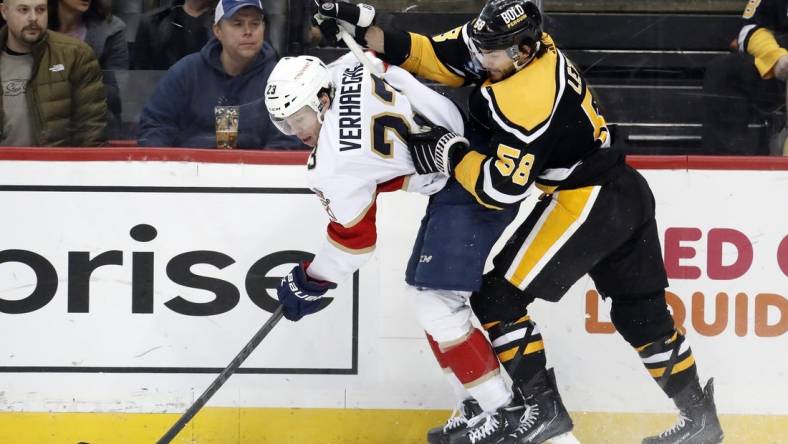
(595, 215)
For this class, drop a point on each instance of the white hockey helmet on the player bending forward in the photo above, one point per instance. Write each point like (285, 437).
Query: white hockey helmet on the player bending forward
(295, 83)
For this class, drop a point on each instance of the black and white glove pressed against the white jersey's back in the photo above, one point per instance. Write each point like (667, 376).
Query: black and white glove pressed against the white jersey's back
(435, 150)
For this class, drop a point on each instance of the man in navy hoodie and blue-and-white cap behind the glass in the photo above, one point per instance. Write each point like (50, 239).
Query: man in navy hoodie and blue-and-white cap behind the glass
(230, 70)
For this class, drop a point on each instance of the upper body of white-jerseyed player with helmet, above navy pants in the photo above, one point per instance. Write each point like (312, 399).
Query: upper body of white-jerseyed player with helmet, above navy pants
(357, 125)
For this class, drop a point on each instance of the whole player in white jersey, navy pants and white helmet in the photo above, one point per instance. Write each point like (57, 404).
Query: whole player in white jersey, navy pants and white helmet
(358, 125)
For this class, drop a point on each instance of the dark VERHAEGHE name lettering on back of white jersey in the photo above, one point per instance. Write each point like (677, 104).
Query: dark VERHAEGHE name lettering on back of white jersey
(350, 108)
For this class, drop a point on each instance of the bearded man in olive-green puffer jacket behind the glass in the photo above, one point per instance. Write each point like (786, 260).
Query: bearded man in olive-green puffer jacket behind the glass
(52, 89)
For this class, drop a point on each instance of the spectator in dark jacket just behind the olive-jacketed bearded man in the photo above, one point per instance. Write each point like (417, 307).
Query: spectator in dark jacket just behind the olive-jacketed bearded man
(92, 22)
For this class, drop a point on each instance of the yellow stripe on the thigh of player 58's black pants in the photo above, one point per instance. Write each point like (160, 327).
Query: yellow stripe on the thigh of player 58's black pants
(568, 208)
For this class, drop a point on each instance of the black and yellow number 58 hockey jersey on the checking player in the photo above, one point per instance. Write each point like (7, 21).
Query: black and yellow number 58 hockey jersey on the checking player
(543, 123)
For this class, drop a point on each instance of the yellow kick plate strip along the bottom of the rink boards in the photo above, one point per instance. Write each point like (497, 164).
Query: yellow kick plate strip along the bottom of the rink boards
(335, 426)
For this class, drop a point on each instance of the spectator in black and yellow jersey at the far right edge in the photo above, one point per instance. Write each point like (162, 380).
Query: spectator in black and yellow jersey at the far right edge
(738, 87)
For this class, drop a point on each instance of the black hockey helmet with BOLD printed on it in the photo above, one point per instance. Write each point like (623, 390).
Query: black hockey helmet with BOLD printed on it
(504, 23)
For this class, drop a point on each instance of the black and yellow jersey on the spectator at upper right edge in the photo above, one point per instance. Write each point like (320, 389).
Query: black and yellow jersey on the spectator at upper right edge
(763, 33)
